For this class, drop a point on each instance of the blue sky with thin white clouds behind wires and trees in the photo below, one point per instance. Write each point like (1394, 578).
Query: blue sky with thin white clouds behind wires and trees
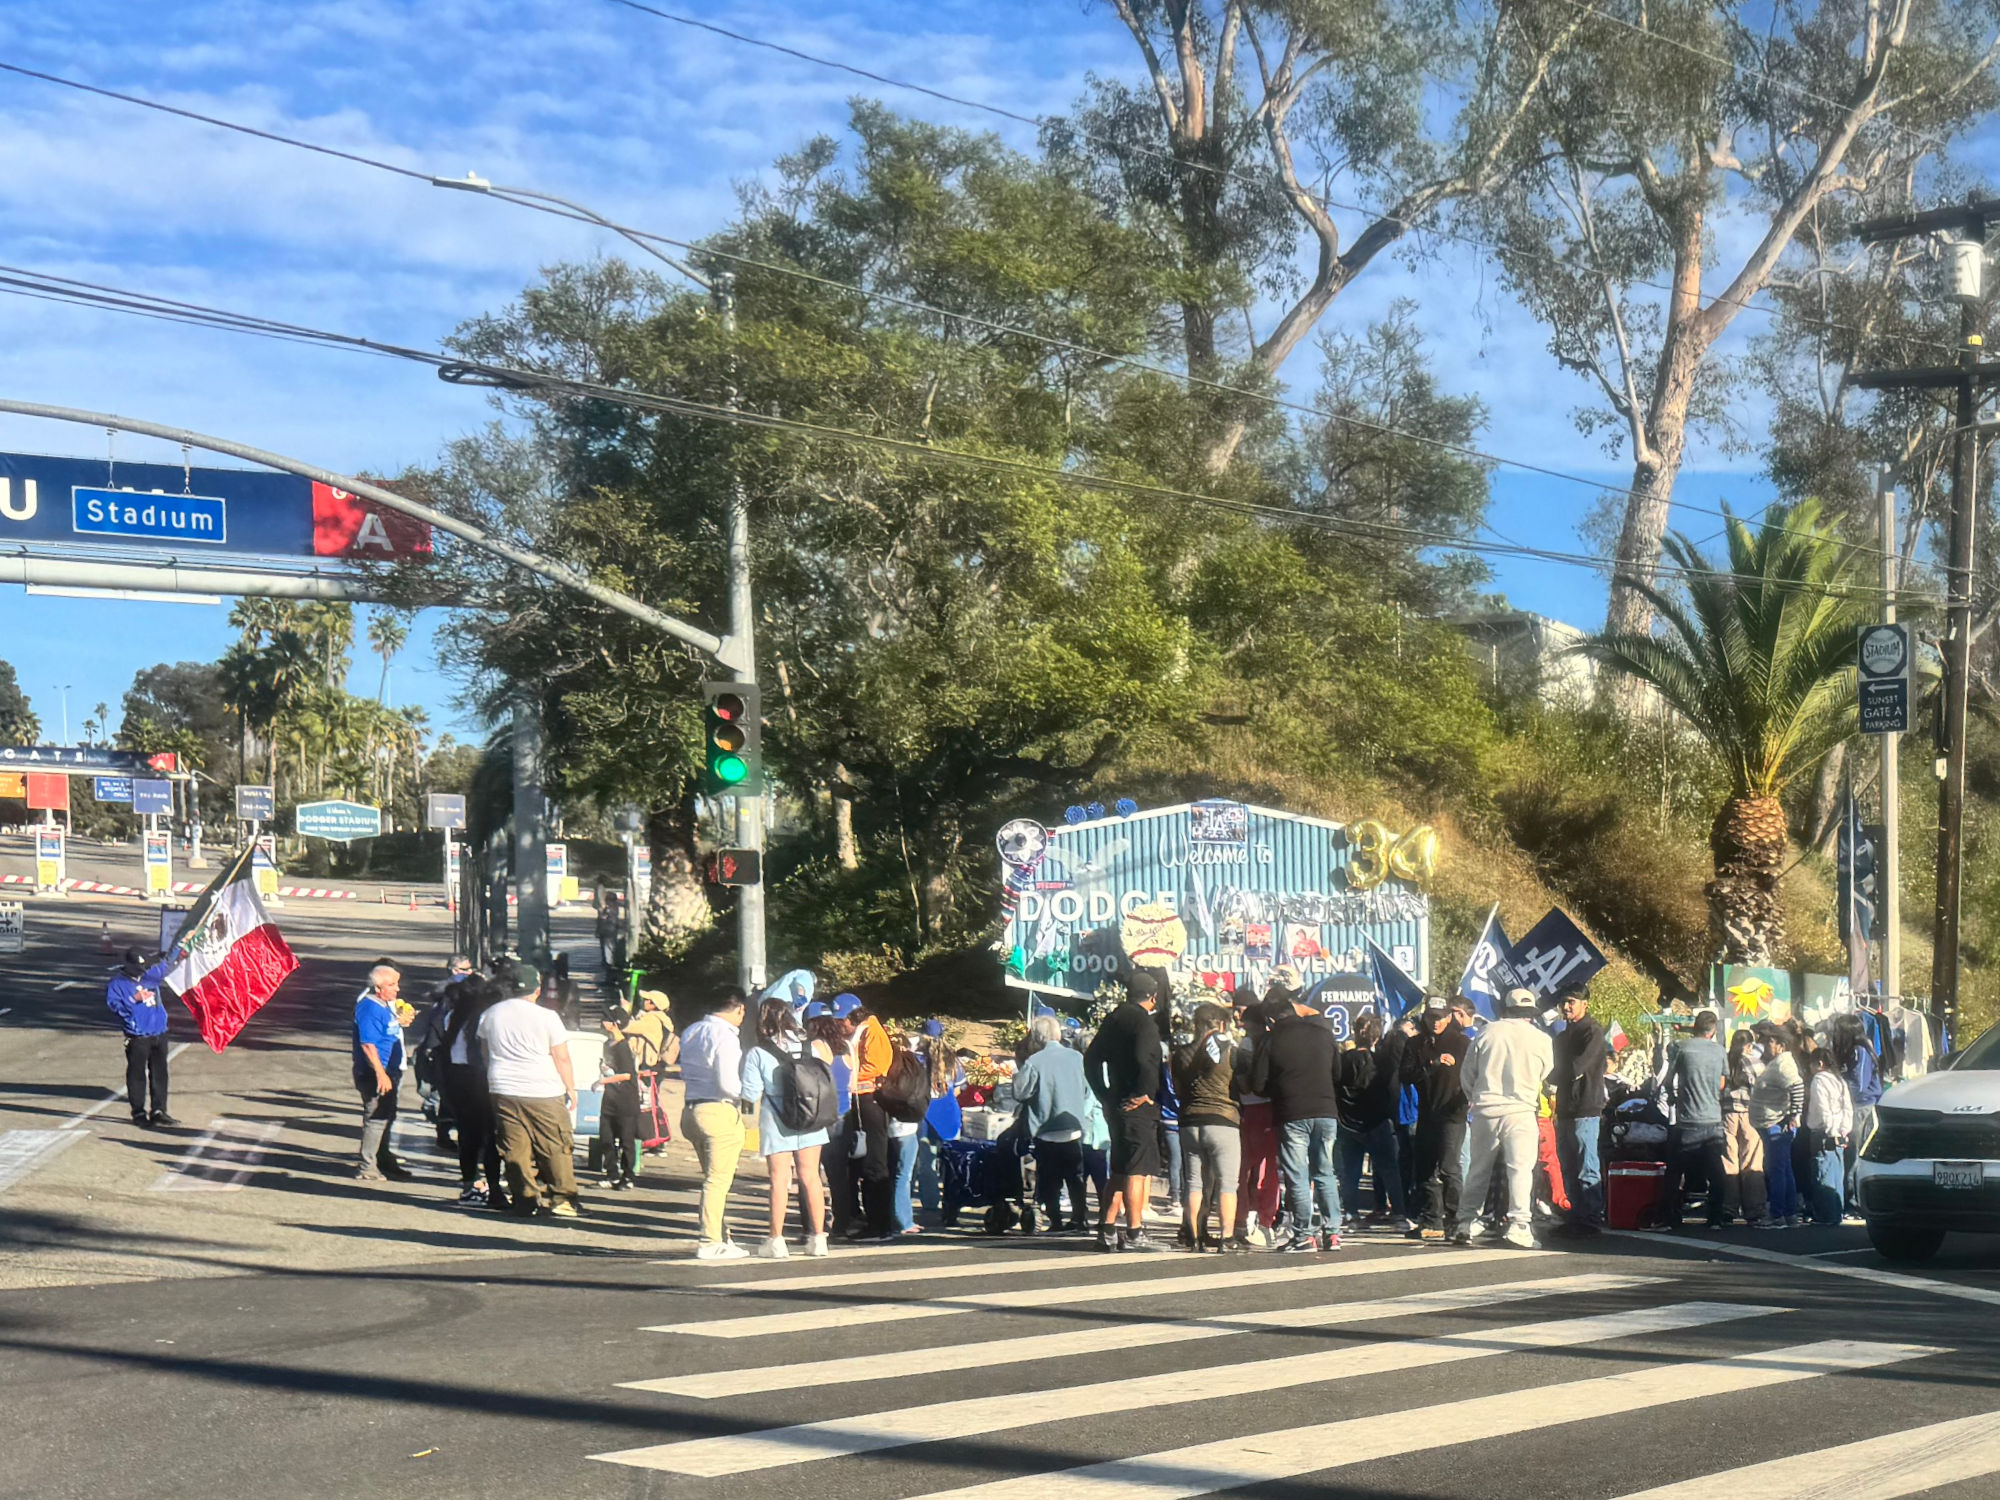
(641, 119)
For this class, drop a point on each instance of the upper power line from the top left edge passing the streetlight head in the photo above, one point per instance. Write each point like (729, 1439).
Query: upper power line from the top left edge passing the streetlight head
(559, 209)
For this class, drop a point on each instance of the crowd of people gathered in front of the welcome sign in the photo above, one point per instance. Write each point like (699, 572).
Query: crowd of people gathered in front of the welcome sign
(1255, 1121)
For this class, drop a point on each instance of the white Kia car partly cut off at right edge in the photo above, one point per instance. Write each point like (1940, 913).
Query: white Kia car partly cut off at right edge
(1931, 1165)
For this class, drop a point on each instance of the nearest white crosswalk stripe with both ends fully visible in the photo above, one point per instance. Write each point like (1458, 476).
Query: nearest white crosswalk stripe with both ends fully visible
(979, 1415)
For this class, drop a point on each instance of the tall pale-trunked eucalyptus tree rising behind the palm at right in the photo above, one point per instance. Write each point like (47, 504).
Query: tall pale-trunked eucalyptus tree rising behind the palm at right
(1675, 155)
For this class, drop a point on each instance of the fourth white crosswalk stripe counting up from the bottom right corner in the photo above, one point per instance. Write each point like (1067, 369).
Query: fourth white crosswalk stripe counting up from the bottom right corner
(1127, 1335)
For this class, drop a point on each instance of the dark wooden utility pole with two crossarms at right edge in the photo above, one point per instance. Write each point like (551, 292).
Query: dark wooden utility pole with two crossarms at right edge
(1967, 377)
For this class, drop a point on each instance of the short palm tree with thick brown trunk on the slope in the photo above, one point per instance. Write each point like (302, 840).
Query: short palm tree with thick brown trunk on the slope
(1759, 659)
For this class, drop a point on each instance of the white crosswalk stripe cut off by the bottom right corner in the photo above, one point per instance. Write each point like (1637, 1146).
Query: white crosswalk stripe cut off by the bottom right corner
(1877, 1469)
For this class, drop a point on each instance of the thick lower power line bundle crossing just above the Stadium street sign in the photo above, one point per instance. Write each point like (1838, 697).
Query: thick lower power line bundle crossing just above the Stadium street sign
(15, 281)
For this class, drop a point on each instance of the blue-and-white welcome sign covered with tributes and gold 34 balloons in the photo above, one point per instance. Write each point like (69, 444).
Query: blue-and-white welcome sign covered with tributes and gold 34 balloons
(1215, 891)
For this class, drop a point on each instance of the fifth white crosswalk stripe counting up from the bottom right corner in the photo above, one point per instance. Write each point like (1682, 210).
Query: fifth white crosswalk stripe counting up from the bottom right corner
(1045, 1297)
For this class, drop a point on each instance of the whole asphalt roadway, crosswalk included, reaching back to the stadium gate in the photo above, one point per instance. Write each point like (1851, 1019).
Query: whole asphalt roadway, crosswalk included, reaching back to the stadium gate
(221, 1311)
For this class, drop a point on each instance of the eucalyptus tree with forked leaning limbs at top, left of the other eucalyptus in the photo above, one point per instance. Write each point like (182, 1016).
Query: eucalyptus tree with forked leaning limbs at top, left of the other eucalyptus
(1277, 149)
